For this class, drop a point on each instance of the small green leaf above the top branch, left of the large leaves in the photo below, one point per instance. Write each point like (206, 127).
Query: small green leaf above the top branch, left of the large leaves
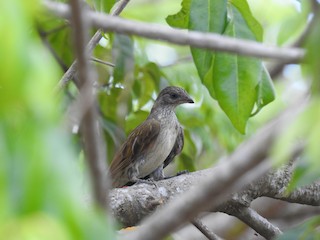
(180, 19)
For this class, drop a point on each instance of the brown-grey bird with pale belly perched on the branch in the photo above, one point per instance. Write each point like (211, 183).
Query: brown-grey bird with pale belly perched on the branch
(152, 145)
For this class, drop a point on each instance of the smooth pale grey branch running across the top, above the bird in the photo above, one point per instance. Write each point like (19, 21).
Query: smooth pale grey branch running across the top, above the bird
(196, 39)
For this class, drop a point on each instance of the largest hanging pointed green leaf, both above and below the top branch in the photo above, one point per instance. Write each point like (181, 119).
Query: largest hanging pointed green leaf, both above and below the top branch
(234, 78)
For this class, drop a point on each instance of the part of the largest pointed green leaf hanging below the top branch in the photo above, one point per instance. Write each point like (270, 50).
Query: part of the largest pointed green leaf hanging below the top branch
(235, 89)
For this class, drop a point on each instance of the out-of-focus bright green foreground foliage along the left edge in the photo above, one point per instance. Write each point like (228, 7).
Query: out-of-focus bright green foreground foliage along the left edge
(40, 183)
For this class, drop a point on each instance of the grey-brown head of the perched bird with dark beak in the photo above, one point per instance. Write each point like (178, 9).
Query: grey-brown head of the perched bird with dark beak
(171, 97)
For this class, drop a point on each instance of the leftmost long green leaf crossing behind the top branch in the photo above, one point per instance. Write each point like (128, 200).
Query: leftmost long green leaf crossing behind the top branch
(206, 16)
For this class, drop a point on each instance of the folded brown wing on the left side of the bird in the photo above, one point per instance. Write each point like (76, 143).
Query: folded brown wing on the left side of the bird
(140, 138)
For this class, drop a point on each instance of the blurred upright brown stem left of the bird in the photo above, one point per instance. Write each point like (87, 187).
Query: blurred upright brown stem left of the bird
(94, 146)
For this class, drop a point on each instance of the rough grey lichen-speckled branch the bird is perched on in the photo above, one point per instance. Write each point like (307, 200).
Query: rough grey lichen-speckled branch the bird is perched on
(130, 205)
